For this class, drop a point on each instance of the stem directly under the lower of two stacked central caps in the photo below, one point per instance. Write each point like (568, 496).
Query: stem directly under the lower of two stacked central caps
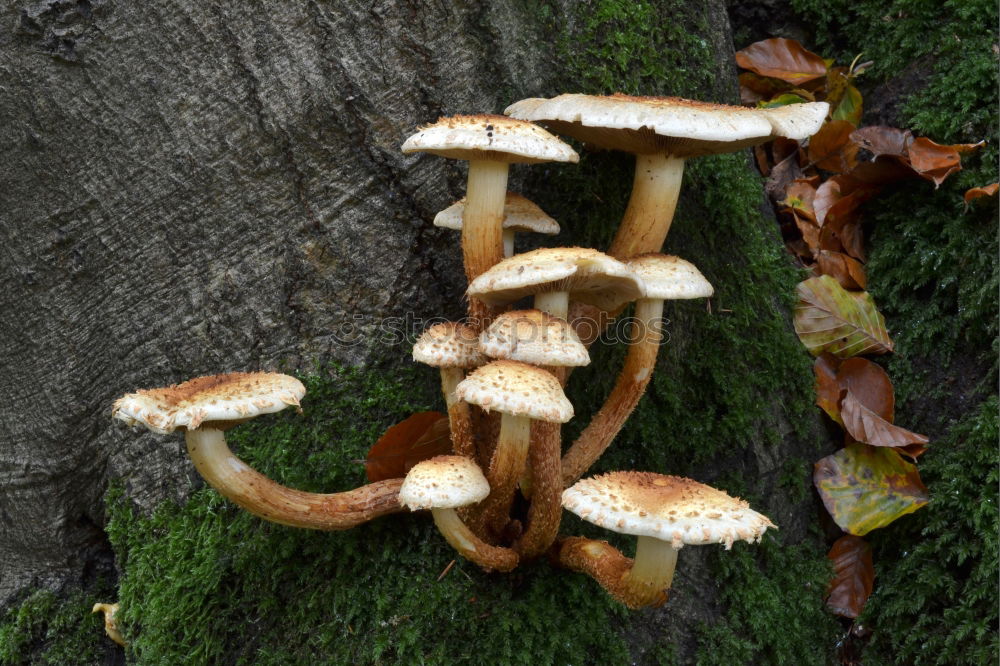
(506, 467)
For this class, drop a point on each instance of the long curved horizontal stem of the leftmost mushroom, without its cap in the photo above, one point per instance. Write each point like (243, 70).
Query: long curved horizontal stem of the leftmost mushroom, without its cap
(271, 501)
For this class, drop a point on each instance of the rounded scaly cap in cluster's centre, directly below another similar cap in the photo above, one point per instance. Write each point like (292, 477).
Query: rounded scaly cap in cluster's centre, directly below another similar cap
(516, 388)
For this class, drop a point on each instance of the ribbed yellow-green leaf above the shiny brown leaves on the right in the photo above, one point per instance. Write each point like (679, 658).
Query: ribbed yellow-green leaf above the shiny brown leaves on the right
(830, 318)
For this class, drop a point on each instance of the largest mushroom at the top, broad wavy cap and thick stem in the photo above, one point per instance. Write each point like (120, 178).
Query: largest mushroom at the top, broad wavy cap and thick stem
(662, 132)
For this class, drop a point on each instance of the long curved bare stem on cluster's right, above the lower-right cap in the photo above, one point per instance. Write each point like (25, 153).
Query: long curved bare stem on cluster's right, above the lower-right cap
(646, 336)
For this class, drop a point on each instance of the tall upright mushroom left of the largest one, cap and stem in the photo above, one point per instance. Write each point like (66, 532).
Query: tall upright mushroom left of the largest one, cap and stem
(490, 144)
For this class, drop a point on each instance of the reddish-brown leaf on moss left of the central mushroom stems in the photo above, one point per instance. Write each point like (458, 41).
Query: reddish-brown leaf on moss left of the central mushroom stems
(420, 437)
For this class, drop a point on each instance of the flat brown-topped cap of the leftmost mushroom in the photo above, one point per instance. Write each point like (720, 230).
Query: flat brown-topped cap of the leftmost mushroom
(234, 396)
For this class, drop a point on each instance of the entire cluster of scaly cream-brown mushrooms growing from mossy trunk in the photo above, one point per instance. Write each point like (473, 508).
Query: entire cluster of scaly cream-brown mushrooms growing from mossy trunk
(503, 370)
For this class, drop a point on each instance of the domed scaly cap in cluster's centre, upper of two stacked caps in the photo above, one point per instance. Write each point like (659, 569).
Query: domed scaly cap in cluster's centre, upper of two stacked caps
(535, 337)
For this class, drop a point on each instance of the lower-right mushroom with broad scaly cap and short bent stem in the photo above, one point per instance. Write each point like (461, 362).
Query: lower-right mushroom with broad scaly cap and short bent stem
(664, 513)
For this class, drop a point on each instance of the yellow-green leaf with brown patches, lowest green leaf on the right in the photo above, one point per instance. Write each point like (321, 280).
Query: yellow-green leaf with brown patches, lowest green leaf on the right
(866, 487)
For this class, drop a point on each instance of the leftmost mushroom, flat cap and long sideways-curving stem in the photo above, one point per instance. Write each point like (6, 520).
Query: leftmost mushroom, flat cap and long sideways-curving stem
(207, 406)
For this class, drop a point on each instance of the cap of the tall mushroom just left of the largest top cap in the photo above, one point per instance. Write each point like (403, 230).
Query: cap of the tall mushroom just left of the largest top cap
(489, 137)
